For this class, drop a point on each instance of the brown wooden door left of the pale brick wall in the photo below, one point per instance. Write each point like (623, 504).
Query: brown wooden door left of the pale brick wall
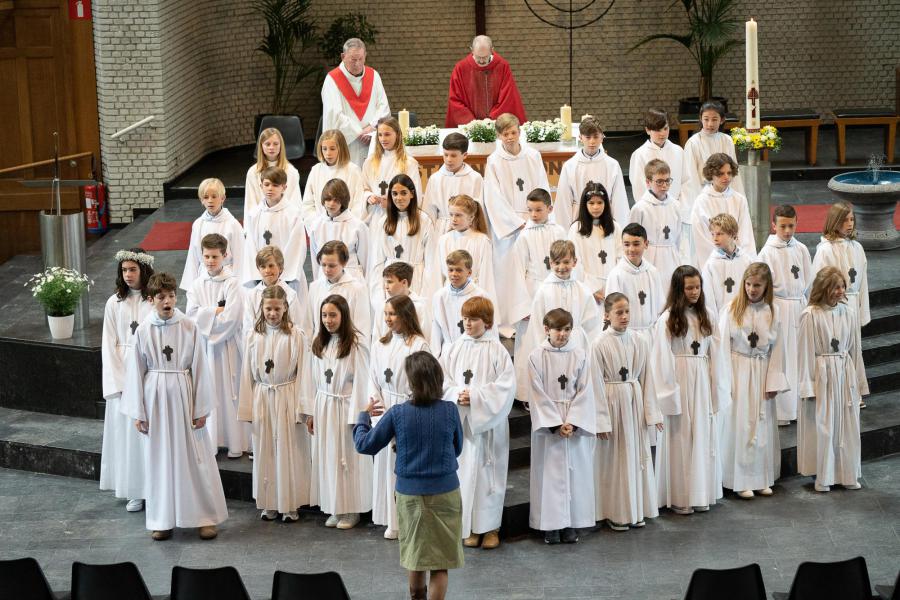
(48, 84)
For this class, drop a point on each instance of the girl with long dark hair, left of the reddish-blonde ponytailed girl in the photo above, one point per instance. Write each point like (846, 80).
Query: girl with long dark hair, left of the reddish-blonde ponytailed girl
(404, 233)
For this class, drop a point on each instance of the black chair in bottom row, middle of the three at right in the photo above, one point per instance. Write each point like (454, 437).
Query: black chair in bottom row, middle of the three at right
(843, 580)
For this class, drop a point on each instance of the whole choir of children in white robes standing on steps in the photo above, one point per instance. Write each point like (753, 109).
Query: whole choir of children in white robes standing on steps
(651, 324)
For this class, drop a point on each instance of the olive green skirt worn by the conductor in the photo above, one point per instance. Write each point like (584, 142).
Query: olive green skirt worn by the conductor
(430, 531)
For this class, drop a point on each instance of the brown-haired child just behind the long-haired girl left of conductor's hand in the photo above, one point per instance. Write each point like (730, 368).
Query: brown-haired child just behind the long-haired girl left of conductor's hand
(332, 259)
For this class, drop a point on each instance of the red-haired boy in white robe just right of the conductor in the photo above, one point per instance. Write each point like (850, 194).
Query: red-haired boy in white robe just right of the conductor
(479, 377)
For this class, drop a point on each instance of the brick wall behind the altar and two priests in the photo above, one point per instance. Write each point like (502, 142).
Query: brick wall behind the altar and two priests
(195, 65)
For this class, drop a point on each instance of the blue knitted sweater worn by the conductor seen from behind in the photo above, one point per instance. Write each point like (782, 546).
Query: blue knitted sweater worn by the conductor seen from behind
(429, 438)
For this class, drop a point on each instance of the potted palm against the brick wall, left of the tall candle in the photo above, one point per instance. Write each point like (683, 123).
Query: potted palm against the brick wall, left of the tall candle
(711, 27)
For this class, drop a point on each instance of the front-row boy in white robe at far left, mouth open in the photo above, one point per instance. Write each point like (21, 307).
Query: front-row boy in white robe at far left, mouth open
(169, 394)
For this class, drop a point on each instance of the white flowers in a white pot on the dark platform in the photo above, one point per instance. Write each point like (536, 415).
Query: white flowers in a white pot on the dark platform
(59, 291)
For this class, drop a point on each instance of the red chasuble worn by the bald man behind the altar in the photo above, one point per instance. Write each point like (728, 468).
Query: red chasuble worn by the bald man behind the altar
(482, 92)
